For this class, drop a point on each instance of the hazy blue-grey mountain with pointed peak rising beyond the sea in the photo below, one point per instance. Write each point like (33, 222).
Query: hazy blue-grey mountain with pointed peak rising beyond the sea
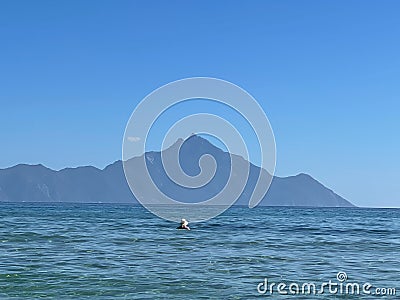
(36, 183)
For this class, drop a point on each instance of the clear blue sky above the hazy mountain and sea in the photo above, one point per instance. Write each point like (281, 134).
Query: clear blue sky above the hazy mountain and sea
(327, 74)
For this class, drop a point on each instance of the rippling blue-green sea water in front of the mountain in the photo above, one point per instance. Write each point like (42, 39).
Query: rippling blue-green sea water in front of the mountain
(82, 251)
